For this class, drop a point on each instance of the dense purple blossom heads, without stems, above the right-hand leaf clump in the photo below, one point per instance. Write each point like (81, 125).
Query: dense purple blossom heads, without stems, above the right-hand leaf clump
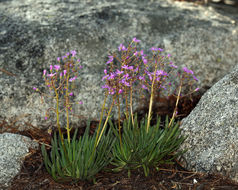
(136, 67)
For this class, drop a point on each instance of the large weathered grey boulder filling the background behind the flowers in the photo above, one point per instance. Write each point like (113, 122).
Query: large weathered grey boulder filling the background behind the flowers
(34, 33)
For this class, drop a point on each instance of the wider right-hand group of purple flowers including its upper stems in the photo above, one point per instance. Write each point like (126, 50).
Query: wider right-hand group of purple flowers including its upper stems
(137, 71)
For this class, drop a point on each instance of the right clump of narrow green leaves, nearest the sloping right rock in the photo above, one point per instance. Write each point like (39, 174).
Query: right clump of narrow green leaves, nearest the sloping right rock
(146, 149)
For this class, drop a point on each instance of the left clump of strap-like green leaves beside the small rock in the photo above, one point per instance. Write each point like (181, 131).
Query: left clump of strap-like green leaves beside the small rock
(79, 158)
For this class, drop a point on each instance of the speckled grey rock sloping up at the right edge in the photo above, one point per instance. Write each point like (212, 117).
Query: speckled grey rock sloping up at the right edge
(212, 129)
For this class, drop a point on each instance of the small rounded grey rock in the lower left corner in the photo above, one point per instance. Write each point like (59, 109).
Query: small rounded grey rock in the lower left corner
(14, 148)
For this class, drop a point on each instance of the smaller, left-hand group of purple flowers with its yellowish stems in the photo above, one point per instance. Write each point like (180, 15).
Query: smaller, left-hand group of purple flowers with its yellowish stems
(60, 80)
